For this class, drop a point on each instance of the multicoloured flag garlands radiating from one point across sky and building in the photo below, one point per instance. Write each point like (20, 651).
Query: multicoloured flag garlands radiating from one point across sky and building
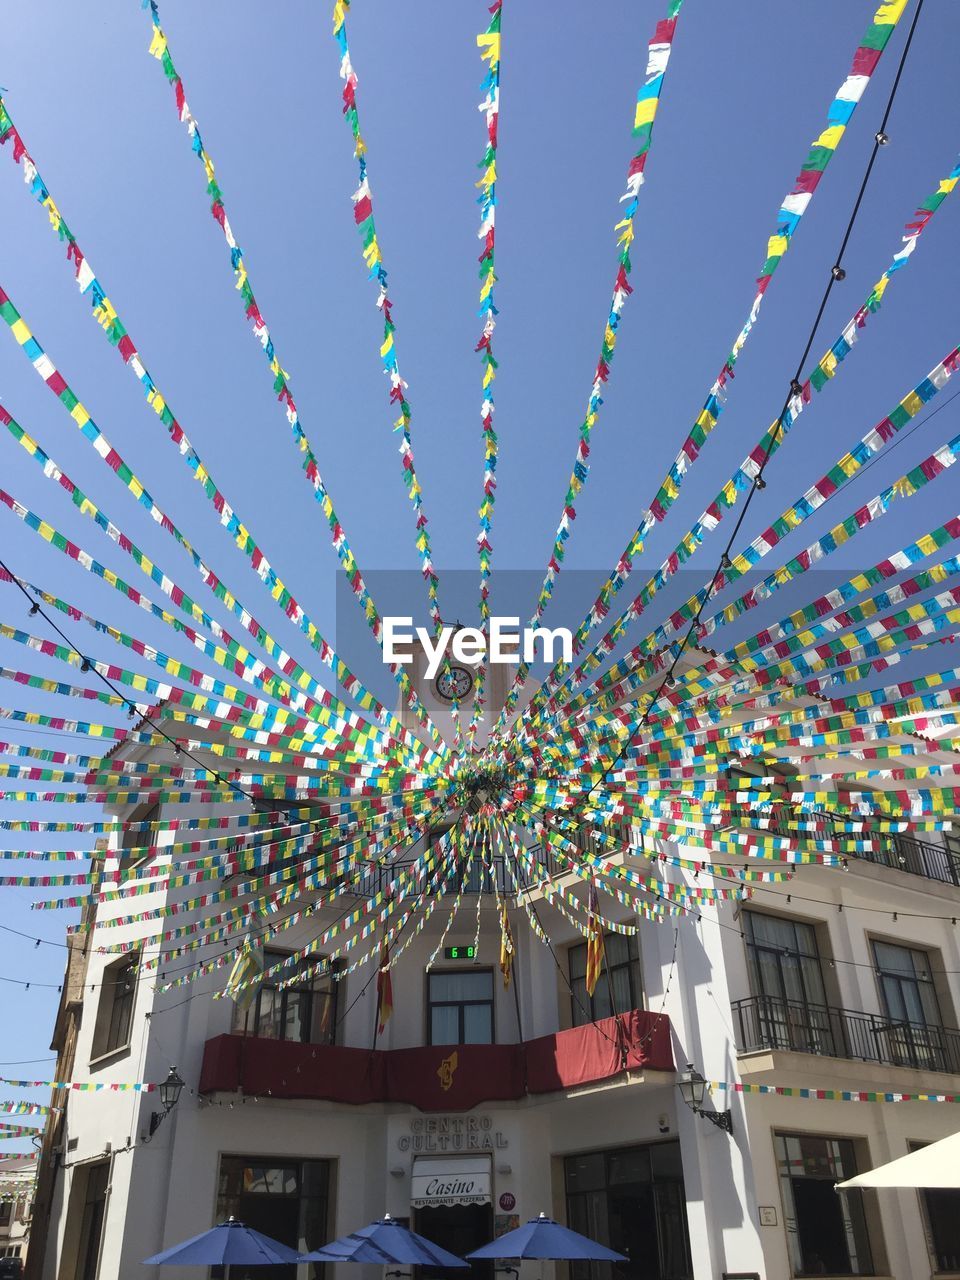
(248, 798)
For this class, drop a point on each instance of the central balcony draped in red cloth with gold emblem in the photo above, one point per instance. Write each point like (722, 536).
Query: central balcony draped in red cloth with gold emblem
(440, 1077)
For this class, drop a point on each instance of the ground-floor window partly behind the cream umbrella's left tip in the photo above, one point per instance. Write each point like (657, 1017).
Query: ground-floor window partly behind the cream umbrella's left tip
(826, 1229)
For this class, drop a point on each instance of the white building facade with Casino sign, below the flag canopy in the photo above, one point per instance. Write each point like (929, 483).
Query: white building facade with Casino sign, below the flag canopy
(482, 1107)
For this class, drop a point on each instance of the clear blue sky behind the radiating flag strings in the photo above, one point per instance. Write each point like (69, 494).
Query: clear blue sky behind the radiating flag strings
(746, 95)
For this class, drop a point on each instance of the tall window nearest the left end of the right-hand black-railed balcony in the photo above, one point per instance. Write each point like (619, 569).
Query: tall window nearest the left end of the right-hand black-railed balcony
(788, 982)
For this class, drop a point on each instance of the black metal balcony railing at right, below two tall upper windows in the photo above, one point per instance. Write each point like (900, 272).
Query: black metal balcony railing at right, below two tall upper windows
(769, 1022)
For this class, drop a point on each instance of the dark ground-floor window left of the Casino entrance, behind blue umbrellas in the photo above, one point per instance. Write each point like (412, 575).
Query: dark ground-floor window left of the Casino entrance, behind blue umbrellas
(287, 1200)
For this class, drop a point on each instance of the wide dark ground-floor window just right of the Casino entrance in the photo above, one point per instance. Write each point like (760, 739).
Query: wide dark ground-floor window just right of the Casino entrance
(632, 1200)
